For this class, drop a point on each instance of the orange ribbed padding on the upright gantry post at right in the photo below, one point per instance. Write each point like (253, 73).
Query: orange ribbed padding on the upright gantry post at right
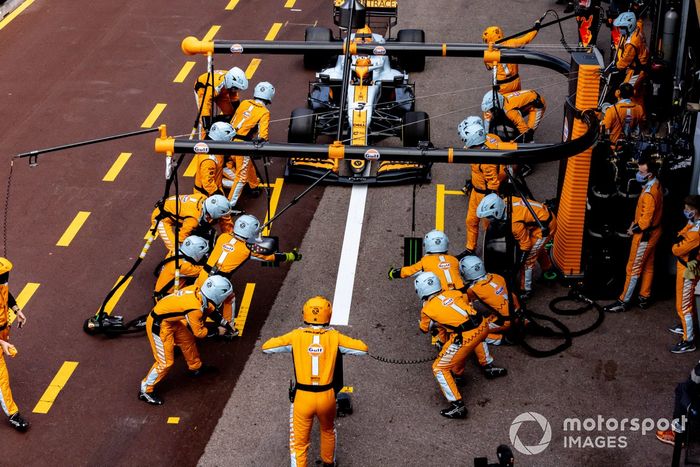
(568, 240)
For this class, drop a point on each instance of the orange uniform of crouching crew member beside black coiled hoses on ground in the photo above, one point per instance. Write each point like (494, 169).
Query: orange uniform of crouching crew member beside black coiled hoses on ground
(493, 292)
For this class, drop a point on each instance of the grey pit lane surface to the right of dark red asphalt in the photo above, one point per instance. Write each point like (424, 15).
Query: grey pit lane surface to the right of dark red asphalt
(622, 370)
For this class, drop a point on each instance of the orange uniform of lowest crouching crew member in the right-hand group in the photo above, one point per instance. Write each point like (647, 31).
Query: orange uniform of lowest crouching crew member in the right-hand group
(466, 329)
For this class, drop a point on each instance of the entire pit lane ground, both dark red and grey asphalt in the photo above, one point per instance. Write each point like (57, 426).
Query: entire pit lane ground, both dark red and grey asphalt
(82, 70)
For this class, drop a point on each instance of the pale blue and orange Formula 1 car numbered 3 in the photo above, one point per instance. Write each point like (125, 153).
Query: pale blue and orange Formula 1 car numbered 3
(380, 103)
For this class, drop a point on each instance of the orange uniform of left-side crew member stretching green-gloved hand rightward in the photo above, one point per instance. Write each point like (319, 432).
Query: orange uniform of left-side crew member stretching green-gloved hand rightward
(228, 255)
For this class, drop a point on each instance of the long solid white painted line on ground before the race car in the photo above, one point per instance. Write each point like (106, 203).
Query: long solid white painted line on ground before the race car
(348, 256)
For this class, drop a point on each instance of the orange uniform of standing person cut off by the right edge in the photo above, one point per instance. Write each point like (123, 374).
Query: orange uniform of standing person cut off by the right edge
(686, 249)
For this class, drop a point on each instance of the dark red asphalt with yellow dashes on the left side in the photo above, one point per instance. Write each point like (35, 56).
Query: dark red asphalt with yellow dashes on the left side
(79, 70)
